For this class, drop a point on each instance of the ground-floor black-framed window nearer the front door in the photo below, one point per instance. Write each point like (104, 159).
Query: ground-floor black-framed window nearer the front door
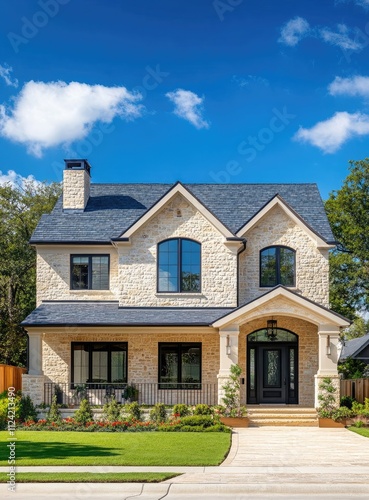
(180, 366)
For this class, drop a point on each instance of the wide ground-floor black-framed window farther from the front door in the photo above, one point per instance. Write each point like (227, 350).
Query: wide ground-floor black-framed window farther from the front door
(99, 362)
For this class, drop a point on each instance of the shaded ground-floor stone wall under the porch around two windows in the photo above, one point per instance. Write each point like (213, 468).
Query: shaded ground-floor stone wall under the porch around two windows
(142, 350)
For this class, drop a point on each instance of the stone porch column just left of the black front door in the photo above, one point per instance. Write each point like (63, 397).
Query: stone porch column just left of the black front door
(228, 353)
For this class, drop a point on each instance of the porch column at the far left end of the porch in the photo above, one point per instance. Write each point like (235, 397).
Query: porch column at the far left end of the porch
(33, 381)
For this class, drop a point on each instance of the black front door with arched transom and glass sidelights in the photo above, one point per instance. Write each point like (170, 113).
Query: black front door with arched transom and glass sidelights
(272, 367)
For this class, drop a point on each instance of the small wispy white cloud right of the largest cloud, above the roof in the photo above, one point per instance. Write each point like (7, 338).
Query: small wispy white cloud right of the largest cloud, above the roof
(188, 105)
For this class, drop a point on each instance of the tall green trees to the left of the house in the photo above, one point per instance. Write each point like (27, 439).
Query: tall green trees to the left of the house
(20, 210)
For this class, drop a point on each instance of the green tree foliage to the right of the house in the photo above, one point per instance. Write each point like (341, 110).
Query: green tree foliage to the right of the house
(348, 214)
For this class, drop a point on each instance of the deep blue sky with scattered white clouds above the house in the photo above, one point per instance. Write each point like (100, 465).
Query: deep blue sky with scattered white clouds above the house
(196, 90)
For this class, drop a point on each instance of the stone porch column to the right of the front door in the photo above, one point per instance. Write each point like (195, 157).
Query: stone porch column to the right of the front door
(328, 358)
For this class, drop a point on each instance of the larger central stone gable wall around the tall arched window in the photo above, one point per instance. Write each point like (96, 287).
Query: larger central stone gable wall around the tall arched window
(138, 262)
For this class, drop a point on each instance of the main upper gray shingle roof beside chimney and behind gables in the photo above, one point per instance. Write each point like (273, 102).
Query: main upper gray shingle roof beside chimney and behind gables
(113, 208)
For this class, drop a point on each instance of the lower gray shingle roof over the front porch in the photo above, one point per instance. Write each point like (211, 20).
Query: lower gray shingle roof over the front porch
(106, 313)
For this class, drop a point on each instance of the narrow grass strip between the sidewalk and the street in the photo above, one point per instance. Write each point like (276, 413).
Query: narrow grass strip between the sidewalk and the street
(89, 477)
